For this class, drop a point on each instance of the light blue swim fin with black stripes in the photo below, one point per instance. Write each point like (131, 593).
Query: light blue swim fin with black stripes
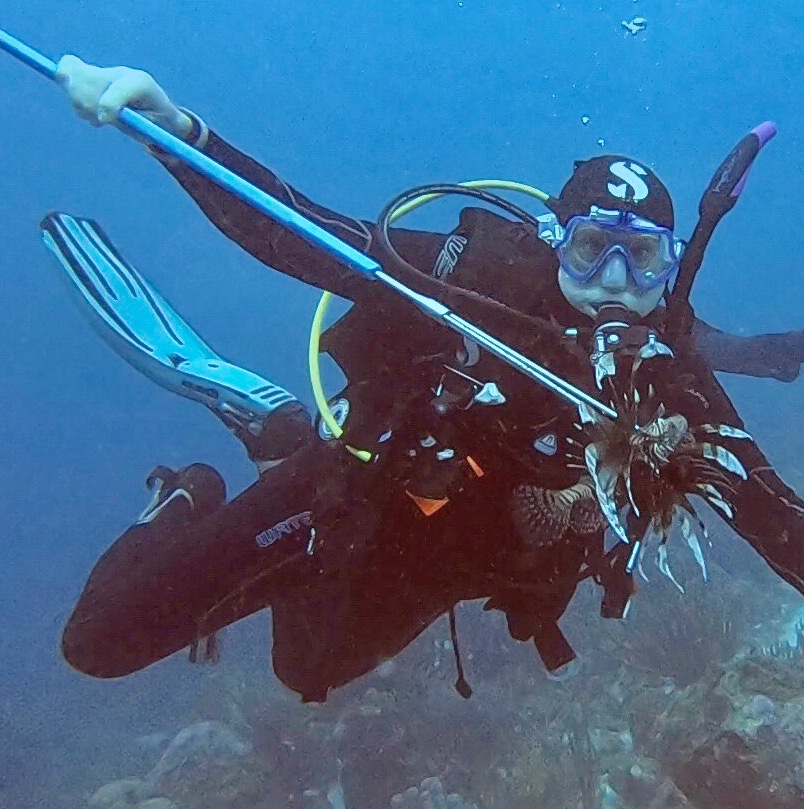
(143, 328)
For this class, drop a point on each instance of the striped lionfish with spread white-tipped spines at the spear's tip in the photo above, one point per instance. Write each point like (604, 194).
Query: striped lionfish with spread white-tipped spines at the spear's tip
(642, 468)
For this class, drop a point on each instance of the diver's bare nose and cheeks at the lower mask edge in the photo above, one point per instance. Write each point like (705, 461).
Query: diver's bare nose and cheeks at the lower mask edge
(611, 284)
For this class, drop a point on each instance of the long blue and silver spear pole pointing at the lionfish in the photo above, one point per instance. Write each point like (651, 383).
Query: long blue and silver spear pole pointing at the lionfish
(345, 253)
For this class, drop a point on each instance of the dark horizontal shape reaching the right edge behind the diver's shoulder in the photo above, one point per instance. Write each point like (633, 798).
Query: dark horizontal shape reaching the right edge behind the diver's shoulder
(765, 355)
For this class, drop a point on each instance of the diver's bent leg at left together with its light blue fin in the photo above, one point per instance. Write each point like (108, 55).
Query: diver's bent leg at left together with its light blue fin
(192, 563)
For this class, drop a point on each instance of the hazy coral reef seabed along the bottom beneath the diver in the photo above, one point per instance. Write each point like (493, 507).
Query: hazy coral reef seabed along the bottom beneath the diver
(693, 704)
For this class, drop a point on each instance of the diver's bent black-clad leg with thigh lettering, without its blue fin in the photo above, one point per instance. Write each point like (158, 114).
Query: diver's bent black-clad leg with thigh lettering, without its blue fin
(194, 564)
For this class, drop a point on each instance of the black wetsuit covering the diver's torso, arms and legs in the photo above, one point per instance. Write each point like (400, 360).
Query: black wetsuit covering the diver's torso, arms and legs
(376, 571)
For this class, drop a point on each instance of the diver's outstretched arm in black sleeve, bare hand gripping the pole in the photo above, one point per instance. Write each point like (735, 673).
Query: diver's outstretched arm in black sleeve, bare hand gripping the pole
(99, 93)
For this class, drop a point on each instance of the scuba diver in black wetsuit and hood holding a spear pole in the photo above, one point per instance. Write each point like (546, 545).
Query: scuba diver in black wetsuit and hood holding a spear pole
(454, 477)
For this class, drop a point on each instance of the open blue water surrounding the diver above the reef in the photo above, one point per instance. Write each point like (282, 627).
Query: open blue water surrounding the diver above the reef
(350, 102)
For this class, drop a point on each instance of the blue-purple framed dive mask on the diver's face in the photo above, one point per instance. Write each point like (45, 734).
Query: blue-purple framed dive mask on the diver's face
(651, 252)
